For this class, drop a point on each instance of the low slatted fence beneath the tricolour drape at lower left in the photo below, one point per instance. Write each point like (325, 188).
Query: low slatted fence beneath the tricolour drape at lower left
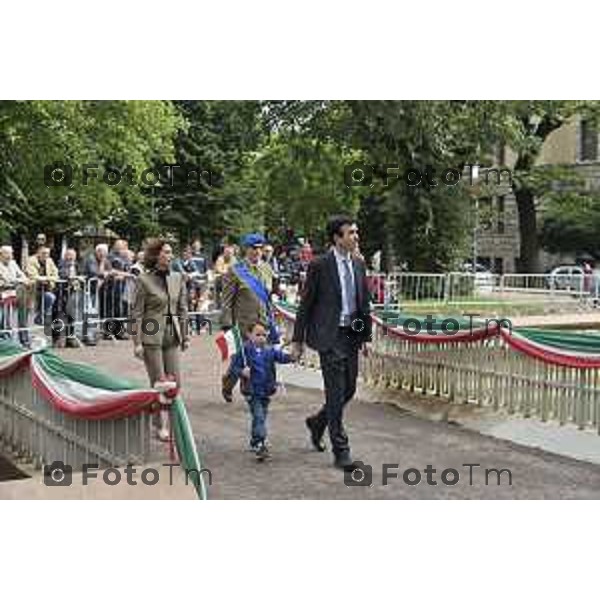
(33, 431)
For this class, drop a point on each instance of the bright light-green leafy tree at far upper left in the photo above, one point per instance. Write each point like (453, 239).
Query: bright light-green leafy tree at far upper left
(35, 134)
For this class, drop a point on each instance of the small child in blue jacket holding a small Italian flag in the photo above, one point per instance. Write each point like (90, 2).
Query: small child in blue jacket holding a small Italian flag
(256, 366)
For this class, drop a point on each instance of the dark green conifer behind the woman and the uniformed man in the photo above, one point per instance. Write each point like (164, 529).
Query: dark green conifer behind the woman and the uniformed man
(220, 141)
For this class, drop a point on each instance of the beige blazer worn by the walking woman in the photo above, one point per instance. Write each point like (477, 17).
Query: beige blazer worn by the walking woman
(151, 302)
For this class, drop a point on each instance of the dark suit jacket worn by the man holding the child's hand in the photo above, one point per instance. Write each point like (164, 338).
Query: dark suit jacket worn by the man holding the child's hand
(318, 317)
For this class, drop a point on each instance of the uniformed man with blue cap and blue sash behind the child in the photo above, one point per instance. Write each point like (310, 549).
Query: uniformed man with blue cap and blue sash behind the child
(246, 298)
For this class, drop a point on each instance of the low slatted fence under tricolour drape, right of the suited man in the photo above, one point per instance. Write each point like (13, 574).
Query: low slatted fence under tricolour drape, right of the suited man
(484, 373)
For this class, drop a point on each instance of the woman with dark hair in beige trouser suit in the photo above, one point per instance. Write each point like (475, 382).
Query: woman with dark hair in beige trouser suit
(160, 331)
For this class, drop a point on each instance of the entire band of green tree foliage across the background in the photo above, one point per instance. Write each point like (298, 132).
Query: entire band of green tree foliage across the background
(281, 164)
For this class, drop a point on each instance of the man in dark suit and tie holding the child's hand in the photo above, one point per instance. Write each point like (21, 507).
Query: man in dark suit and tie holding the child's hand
(333, 318)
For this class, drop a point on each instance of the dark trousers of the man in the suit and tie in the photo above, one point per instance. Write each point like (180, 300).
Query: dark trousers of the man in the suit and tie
(339, 366)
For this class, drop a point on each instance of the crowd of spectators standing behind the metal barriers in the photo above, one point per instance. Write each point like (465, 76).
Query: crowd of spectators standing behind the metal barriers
(52, 294)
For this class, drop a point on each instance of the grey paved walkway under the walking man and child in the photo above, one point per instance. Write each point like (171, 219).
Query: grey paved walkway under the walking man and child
(380, 433)
